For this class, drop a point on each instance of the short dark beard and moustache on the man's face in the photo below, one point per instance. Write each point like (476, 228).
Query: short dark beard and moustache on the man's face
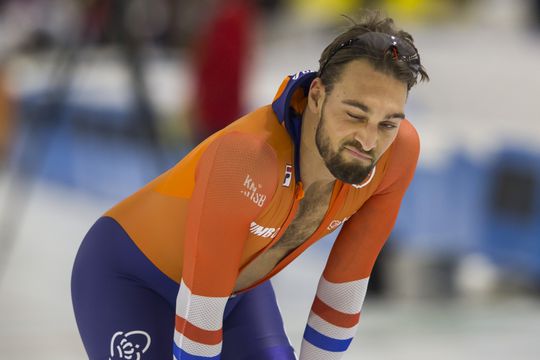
(351, 172)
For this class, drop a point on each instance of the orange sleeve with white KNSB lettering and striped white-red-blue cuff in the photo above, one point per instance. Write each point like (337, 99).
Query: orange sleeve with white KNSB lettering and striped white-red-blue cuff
(235, 178)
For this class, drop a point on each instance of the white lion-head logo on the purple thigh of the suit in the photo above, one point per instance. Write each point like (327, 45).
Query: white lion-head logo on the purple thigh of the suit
(129, 346)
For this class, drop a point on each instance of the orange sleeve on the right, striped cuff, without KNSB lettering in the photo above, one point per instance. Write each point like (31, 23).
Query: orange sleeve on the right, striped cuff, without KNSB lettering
(335, 312)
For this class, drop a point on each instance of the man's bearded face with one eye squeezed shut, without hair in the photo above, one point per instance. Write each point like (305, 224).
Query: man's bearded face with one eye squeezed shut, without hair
(359, 120)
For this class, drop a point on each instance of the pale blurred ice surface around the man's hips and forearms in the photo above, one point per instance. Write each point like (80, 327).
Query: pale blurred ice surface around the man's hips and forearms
(37, 318)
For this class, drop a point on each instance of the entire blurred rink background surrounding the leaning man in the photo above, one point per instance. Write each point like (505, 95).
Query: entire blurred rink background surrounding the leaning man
(97, 97)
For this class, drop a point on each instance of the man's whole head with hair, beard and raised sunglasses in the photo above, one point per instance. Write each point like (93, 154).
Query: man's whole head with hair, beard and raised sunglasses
(359, 97)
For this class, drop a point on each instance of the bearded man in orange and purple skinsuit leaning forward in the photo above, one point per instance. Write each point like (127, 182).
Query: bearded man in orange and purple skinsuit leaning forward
(183, 265)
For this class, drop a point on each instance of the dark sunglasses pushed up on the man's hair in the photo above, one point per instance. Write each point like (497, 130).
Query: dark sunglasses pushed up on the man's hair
(400, 49)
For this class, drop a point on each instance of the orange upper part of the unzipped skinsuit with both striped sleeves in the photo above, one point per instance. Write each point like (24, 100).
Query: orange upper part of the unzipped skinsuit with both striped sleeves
(232, 198)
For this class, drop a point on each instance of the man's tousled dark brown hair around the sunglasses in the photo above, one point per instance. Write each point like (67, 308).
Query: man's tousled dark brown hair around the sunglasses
(340, 52)
